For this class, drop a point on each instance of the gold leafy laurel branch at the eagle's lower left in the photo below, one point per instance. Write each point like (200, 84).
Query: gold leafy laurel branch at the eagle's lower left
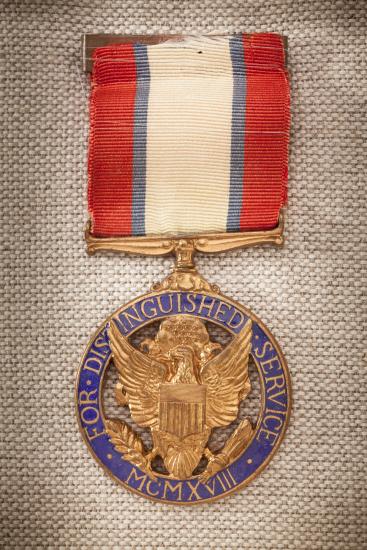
(129, 444)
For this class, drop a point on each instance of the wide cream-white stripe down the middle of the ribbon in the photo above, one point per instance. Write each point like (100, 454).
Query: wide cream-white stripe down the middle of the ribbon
(188, 149)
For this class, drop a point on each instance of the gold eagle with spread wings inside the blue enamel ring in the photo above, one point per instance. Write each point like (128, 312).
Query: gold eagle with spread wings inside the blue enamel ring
(181, 386)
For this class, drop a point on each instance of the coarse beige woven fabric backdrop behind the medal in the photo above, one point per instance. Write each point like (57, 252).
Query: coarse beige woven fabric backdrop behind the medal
(312, 496)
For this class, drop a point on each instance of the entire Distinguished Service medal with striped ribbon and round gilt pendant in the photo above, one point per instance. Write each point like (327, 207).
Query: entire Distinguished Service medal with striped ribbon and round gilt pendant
(188, 153)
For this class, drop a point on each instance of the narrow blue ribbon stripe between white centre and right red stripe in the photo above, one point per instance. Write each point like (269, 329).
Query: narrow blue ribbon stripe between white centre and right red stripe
(238, 133)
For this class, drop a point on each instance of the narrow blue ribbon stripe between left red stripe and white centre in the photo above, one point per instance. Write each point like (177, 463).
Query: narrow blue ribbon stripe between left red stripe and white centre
(140, 138)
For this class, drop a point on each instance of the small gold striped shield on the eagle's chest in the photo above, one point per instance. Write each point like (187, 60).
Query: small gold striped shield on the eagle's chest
(182, 409)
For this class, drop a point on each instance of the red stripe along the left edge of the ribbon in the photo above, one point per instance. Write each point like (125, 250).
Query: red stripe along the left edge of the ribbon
(110, 166)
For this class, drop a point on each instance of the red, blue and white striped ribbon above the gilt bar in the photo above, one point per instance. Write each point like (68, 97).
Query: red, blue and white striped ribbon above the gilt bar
(189, 137)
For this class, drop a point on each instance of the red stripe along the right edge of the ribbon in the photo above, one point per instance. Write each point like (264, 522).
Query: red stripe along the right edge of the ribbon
(266, 132)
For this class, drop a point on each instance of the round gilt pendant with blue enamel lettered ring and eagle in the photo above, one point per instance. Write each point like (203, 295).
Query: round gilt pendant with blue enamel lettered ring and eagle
(183, 395)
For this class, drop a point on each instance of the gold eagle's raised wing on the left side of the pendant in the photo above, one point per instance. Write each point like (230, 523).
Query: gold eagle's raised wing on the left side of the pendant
(140, 376)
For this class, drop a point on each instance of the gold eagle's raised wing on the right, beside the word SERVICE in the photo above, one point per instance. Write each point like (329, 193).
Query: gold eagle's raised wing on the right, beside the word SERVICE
(227, 380)
